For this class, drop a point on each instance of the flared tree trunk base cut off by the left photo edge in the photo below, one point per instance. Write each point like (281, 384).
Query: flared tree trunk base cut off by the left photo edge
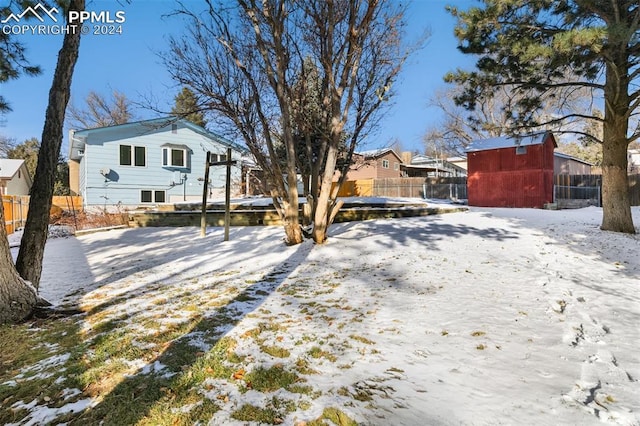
(17, 298)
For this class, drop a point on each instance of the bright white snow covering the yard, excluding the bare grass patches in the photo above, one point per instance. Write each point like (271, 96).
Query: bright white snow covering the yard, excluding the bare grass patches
(490, 316)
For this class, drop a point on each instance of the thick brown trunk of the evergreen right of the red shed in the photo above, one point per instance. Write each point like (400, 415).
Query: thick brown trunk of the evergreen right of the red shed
(616, 207)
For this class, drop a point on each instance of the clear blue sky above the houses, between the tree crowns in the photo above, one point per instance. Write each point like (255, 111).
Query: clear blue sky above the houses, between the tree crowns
(129, 63)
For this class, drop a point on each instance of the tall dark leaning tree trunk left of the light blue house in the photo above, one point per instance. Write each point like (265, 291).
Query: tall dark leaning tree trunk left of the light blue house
(29, 261)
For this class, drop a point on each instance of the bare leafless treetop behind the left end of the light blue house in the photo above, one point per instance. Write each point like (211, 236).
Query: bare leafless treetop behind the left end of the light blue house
(100, 111)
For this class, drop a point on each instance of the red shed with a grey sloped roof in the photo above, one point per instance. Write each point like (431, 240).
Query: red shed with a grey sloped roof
(511, 171)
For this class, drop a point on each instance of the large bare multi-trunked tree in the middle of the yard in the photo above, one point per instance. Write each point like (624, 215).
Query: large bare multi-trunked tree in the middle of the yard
(245, 61)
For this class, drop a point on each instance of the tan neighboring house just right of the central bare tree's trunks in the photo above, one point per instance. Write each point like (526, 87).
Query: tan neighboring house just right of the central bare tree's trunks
(376, 164)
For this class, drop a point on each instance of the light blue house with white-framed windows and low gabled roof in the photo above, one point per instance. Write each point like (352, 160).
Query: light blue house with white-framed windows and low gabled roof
(149, 163)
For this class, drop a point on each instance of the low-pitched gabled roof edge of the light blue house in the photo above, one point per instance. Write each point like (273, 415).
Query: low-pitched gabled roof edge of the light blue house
(152, 124)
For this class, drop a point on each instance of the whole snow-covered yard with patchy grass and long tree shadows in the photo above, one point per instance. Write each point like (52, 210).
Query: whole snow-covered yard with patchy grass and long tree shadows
(493, 316)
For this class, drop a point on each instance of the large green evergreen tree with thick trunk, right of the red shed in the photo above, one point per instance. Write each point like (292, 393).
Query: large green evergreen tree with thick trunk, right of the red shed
(541, 47)
